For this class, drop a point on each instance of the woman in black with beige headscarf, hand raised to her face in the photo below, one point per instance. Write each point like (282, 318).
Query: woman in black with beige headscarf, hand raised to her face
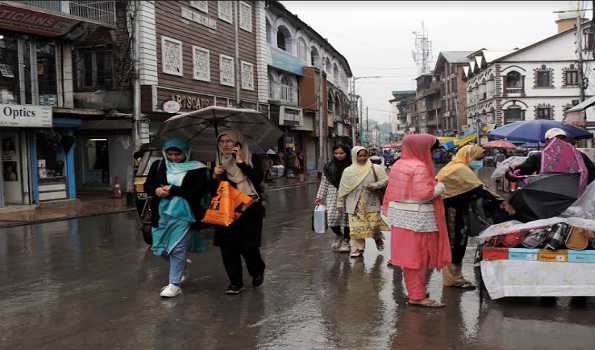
(243, 238)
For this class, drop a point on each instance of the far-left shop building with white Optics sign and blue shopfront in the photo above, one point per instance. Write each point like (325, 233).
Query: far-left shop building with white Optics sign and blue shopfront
(50, 85)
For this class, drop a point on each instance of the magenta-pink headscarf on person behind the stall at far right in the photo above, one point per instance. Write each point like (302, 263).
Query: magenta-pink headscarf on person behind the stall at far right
(560, 156)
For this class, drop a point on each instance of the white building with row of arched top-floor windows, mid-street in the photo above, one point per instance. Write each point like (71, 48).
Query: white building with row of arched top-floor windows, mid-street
(303, 68)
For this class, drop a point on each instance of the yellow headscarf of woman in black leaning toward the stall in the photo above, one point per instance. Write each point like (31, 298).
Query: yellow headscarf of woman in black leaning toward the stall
(457, 176)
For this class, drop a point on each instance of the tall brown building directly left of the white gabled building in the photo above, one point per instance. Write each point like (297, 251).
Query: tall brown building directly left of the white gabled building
(449, 71)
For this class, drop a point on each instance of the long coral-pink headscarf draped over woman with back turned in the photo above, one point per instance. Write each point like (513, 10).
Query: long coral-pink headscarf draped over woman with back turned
(412, 178)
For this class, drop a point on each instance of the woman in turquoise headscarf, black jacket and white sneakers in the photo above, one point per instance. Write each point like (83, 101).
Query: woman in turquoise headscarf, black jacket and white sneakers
(178, 185)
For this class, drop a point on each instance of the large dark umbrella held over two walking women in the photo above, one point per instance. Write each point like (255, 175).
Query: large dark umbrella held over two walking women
(200, 128)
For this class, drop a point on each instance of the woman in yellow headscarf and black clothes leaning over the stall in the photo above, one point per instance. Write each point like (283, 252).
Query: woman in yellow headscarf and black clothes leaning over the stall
(461, 186)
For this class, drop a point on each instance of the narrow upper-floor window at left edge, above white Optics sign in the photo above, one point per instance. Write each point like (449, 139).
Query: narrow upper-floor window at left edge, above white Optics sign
(9, 69)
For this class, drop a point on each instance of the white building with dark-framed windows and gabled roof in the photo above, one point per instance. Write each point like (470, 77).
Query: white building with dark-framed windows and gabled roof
(539, 81)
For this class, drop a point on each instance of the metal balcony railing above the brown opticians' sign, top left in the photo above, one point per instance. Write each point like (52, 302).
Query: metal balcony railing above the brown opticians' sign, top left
(100, 11)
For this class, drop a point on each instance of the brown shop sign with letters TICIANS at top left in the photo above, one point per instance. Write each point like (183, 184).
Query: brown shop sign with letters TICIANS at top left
(34, 22)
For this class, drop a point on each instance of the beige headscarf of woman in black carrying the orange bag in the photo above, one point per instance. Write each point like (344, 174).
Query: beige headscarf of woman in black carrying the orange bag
(232, 170)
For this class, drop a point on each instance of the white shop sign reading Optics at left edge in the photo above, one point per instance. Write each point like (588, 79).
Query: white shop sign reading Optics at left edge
(25, 116)
